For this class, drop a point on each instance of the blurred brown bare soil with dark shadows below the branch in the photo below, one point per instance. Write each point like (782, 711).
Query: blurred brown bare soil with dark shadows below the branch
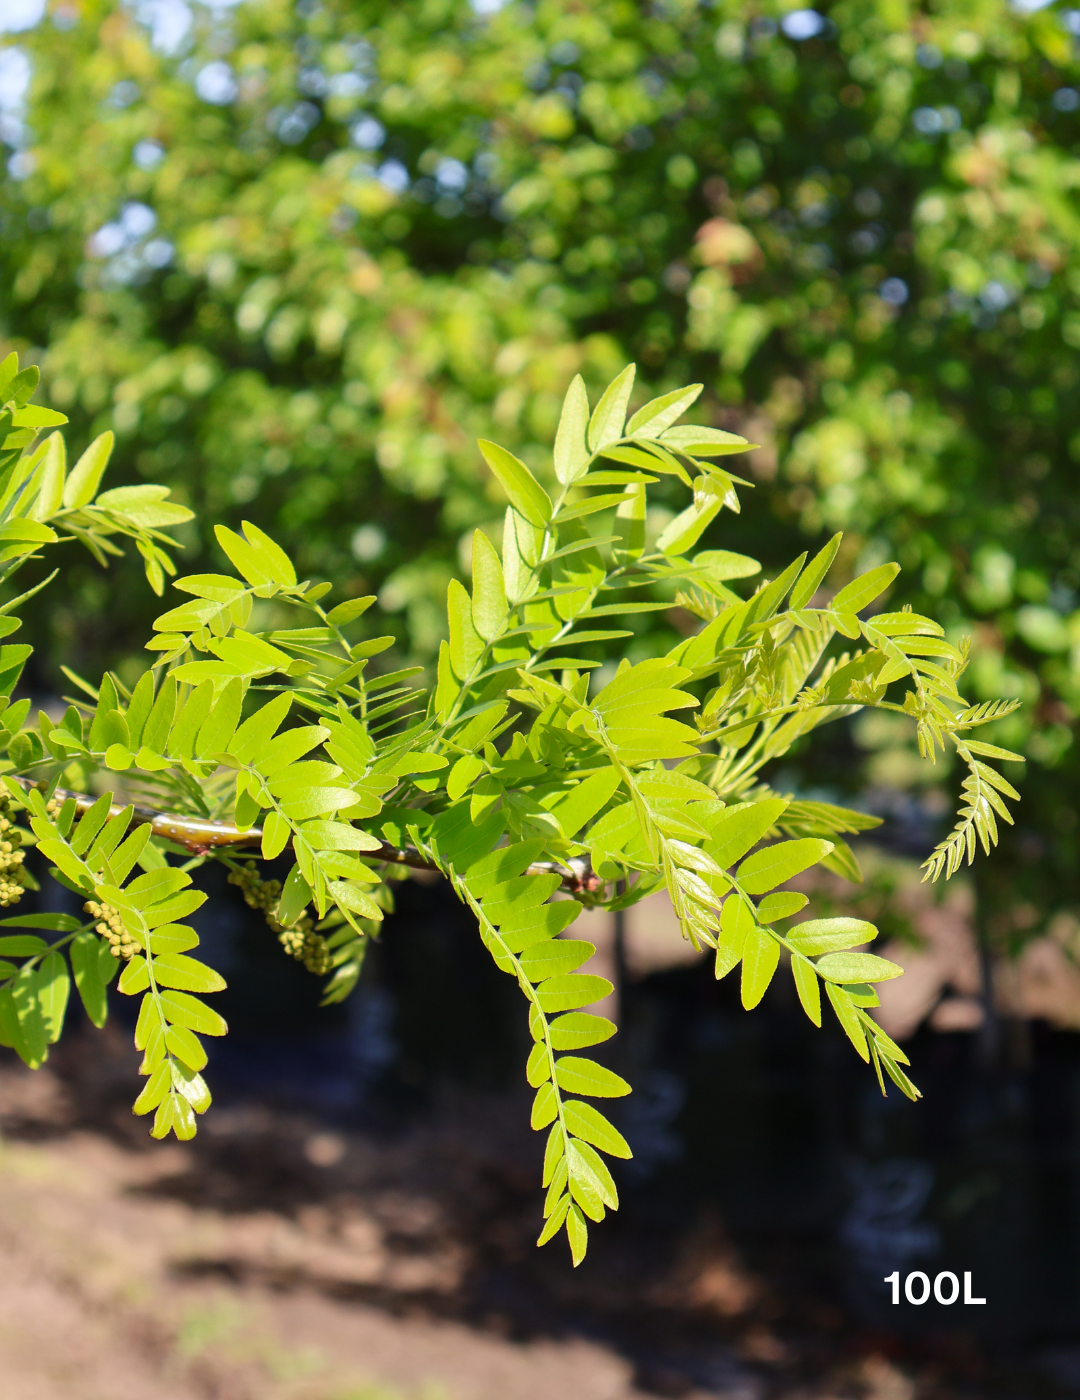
(274, 1259)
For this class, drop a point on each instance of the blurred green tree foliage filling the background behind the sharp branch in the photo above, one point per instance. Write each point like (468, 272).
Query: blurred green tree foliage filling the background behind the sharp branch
(300, 255)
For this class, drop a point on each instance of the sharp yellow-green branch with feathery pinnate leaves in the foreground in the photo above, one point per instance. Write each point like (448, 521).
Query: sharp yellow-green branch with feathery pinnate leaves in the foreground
(513, 778)
